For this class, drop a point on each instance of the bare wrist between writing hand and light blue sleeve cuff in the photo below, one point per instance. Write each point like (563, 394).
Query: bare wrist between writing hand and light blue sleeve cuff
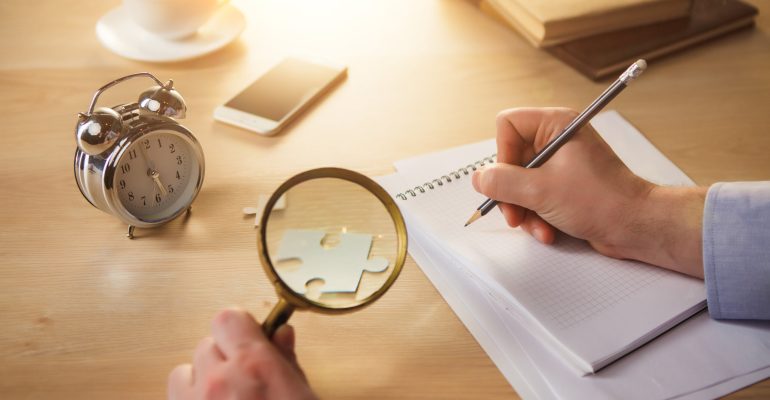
(667, 230)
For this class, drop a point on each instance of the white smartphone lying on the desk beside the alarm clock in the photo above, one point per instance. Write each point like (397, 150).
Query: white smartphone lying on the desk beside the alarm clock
(278, 96)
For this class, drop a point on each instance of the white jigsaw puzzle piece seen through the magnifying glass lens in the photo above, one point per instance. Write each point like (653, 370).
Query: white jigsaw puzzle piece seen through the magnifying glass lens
(339, 267)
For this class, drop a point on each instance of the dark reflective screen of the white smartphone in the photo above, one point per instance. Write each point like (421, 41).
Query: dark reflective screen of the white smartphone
(279, 91)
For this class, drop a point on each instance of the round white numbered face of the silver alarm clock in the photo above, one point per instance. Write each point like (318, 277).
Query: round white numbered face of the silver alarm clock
(157, 176)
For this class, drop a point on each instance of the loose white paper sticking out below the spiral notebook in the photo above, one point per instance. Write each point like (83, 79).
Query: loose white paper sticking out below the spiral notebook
(699, 359)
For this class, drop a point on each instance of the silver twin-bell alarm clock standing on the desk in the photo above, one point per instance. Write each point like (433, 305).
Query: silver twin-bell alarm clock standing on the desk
(135, 161)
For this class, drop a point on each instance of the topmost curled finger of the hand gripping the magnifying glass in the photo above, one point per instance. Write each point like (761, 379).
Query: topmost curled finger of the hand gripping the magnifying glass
(233, 329)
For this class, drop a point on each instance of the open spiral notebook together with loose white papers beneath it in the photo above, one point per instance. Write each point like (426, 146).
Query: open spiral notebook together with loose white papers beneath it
(538, 355)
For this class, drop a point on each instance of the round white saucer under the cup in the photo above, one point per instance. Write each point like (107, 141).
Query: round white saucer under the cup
(120, 34)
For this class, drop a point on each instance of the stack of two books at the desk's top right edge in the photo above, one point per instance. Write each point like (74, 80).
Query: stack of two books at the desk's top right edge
(600, 38)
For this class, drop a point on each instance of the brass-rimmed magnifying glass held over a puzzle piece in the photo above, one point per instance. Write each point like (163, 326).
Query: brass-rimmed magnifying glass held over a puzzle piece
(330, 240)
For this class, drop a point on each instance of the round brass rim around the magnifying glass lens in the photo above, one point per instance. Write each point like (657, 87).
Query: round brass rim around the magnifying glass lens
(298, 301)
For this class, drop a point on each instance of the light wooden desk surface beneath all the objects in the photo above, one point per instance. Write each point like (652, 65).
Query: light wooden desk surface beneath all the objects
(86, 313)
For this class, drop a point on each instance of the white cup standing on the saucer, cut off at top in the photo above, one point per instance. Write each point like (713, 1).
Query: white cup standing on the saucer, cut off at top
(171, 19)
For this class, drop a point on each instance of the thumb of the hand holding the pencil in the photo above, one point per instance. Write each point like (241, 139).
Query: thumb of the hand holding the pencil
(510, 184)
